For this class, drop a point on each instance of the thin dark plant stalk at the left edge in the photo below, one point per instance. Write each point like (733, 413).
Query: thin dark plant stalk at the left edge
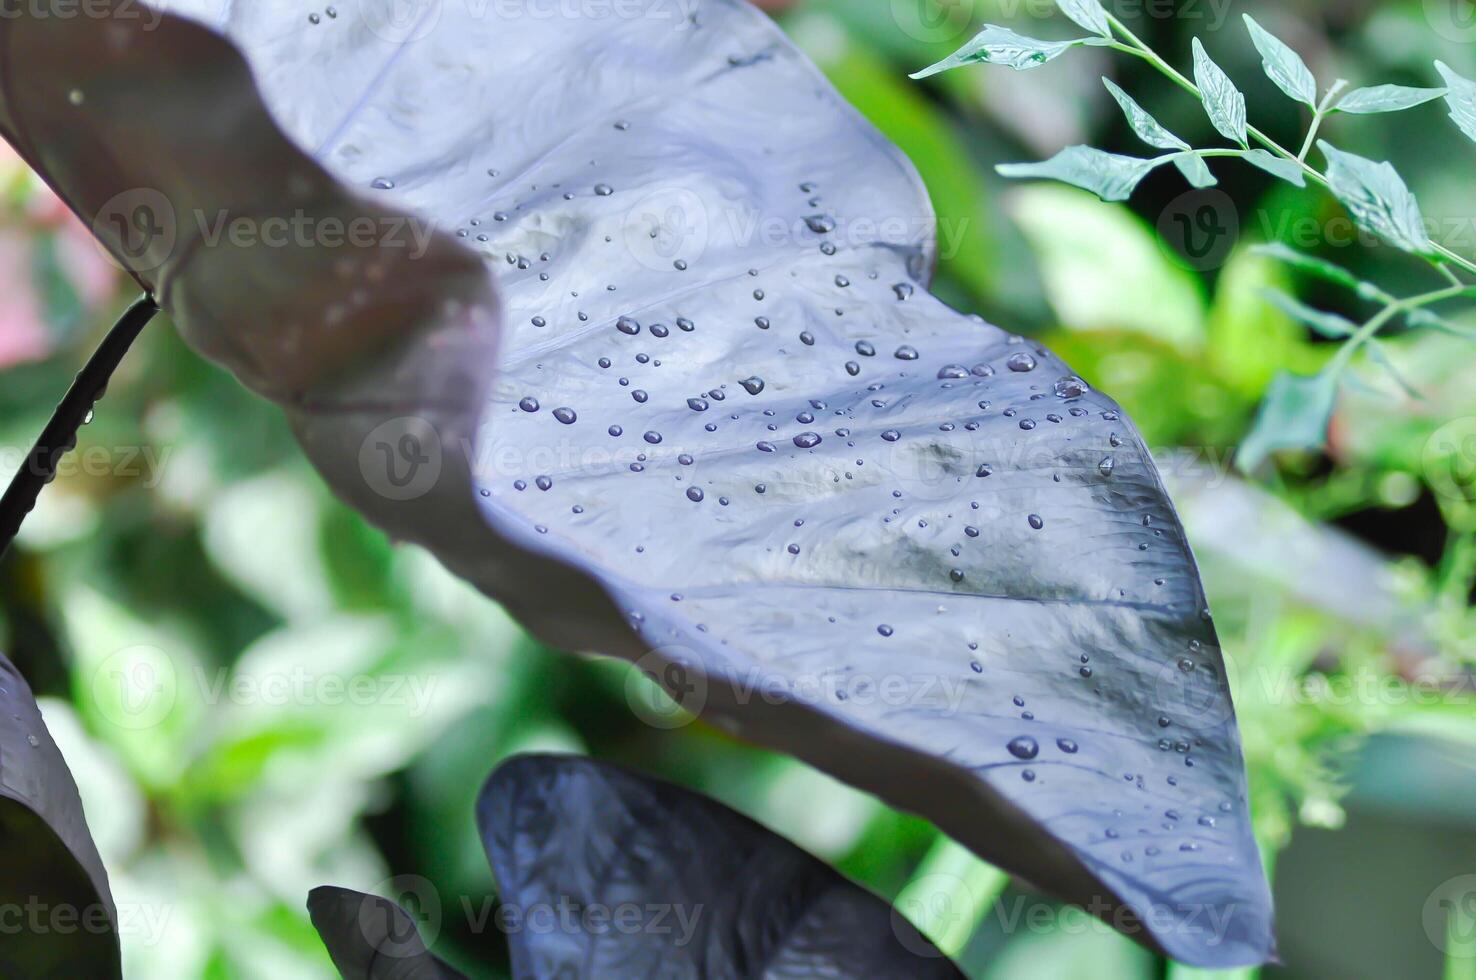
(60, 435)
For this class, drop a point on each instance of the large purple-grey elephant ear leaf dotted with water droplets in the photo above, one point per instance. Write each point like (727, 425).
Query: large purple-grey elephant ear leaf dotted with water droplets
(725, 432)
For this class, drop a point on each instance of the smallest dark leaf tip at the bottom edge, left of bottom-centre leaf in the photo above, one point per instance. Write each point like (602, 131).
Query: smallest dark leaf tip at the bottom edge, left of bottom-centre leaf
(371, 938)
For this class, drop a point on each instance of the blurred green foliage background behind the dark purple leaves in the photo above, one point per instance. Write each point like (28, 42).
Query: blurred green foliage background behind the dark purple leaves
(181, 616)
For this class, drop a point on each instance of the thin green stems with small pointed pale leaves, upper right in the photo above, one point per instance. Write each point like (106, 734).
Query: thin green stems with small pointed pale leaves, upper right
(1297, 411)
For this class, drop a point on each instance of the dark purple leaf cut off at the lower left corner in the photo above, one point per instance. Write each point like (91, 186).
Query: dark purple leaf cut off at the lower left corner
(60, 919)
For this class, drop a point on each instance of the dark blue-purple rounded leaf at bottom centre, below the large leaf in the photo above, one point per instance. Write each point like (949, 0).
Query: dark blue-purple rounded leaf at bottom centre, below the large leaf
(684, 886)
